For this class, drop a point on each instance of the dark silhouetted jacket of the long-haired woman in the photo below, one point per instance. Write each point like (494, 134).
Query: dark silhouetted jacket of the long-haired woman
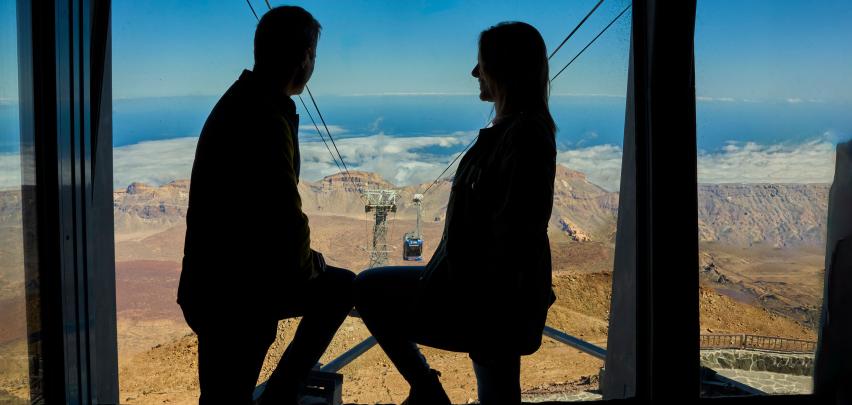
(493, 263)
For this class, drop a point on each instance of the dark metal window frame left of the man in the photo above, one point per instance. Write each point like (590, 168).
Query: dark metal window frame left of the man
(66, 147)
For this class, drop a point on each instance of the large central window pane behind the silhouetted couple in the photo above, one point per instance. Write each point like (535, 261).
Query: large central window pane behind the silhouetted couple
(393, 83)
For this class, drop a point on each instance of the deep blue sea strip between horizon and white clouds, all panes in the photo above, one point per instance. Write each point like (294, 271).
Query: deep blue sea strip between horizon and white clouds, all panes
(582, 120)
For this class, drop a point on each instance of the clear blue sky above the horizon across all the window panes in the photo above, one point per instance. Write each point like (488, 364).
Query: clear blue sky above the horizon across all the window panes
(745, 50)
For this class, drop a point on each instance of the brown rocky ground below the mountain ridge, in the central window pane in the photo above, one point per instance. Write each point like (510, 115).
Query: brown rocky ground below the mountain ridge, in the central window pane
(167, 371)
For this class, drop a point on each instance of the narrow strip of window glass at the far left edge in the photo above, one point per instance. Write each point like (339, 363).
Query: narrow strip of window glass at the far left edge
(14, 379)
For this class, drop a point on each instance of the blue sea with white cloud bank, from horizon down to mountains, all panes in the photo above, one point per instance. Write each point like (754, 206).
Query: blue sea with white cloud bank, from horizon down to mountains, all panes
(411, 138)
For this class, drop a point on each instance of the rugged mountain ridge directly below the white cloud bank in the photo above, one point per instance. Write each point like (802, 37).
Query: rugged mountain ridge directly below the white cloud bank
(778, 215)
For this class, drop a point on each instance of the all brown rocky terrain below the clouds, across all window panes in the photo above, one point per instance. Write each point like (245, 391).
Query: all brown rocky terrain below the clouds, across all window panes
(761, 273)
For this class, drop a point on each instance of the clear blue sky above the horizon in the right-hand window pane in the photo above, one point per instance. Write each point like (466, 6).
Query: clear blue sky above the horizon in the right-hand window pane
(774, 50)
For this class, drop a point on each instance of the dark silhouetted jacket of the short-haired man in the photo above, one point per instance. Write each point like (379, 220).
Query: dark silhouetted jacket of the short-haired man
(247, 243)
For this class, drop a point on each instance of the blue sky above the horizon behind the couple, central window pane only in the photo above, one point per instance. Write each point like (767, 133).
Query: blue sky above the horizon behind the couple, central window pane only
(366, 47)
